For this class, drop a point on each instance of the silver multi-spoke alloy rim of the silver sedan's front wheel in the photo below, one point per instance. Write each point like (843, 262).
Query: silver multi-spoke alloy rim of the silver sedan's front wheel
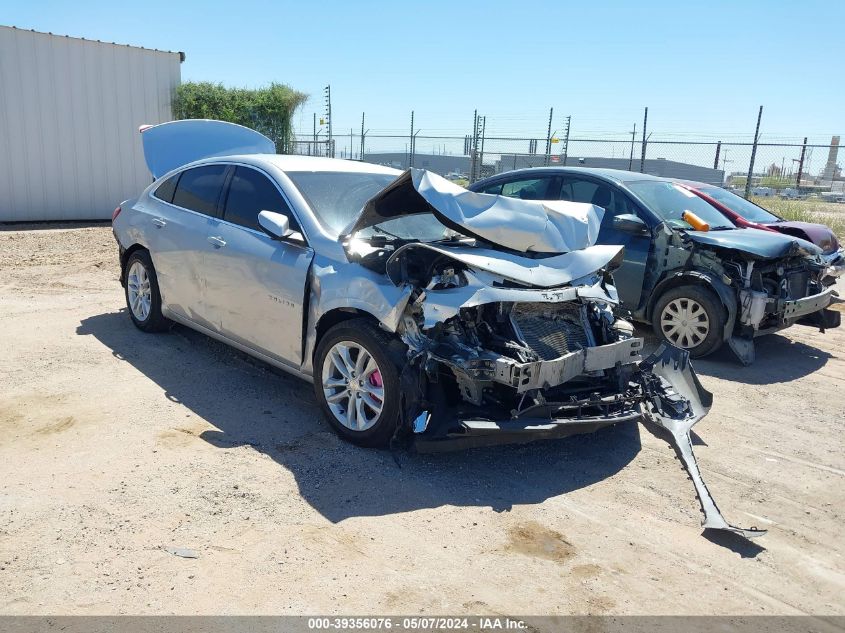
(352, 385)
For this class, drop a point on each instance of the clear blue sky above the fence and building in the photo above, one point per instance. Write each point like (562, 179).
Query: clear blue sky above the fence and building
(703, 68)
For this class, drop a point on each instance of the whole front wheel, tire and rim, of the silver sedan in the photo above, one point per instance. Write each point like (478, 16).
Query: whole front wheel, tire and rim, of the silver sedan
(356, 381)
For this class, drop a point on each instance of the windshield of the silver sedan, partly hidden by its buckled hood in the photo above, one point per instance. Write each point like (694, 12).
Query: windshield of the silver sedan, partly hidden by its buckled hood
(337, 197)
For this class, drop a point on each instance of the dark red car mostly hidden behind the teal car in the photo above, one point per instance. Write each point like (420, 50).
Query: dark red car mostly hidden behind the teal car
(748, 215)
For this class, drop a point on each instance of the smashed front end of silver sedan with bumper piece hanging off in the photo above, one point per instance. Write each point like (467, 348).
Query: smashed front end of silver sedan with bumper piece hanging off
(533, 364)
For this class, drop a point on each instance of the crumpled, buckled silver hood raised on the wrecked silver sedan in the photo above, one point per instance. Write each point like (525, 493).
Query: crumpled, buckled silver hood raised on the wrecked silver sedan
(518, 225)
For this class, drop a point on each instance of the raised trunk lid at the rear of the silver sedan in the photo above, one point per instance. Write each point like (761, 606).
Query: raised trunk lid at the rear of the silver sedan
(176, 143)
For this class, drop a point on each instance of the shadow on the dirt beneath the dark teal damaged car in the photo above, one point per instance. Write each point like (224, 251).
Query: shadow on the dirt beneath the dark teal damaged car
(779, 359)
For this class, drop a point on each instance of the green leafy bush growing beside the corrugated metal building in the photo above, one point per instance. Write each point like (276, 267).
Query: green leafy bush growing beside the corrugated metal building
(268, 110)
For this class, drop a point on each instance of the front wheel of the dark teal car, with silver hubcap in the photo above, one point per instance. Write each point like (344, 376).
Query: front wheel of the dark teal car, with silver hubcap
(692, 318)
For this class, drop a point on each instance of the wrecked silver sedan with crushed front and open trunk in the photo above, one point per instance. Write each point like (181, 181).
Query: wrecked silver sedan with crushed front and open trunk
(425, 315)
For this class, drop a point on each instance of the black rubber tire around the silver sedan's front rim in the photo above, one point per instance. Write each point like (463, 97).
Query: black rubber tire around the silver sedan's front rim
(389, 359)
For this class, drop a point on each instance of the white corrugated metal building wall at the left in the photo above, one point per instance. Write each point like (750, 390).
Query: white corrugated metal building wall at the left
(69, 116)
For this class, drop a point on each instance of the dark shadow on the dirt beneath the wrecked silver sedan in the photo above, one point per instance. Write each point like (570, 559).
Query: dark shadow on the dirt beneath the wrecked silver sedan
(252, 404)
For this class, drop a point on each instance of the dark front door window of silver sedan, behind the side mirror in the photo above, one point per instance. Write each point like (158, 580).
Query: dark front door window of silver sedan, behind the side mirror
(251, 192)
